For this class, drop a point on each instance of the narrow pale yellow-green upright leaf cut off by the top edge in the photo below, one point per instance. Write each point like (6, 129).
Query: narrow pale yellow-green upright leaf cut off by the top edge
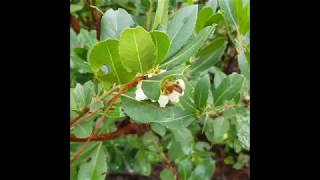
(161, 17)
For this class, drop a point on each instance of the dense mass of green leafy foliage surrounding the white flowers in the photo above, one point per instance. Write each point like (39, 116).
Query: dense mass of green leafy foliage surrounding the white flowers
(205, 44)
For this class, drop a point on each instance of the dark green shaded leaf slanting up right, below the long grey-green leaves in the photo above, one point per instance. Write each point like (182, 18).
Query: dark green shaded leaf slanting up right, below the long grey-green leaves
(209, 56)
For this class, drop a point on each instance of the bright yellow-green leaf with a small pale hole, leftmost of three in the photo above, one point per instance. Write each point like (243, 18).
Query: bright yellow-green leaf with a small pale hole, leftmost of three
(106, 54)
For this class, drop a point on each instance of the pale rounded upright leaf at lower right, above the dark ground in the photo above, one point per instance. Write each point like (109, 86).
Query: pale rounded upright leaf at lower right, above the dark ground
(216, 129)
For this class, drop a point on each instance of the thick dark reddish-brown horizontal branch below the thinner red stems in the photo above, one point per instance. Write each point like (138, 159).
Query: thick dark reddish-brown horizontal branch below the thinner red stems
(131, 128)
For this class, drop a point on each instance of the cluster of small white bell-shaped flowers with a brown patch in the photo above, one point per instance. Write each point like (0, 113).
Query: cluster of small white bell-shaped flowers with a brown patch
(171, 91)
